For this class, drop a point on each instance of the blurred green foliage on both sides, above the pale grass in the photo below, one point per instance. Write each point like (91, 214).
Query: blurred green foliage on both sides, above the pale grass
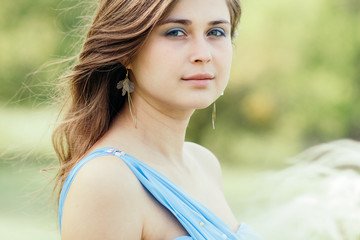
(295, 79)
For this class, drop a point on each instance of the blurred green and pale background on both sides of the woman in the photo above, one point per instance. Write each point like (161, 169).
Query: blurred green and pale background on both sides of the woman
(295, 82)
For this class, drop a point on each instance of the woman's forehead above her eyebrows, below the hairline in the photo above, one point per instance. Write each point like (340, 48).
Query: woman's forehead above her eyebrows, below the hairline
(200, 9)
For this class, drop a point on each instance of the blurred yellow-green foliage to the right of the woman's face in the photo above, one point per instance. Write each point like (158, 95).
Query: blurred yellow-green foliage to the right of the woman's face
(295, 82)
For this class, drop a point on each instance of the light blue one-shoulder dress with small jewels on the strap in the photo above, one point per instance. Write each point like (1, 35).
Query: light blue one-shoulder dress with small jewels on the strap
(197, 220)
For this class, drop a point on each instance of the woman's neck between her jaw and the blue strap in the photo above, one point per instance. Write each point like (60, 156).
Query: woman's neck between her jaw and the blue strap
(158, 130)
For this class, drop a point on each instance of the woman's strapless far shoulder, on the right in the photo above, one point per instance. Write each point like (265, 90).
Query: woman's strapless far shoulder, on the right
(206, 159)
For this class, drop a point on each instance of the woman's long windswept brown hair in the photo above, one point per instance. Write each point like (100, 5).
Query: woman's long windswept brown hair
(119, 29)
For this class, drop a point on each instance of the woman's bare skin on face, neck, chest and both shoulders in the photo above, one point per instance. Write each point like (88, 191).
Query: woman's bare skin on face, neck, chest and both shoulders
(106, 201)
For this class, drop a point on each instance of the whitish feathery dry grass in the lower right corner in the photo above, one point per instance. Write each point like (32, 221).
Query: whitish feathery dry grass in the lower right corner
(317, 198)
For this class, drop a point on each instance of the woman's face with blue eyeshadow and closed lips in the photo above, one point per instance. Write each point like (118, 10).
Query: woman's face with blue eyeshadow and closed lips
(185, 63)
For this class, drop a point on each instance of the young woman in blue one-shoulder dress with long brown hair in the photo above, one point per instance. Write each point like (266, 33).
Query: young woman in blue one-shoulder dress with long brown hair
(126, 172)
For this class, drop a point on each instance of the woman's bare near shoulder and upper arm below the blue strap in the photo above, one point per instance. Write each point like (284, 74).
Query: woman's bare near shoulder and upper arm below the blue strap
(105, 198)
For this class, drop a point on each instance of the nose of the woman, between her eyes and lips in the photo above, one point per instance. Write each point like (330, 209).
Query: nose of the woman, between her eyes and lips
(200, 51)
